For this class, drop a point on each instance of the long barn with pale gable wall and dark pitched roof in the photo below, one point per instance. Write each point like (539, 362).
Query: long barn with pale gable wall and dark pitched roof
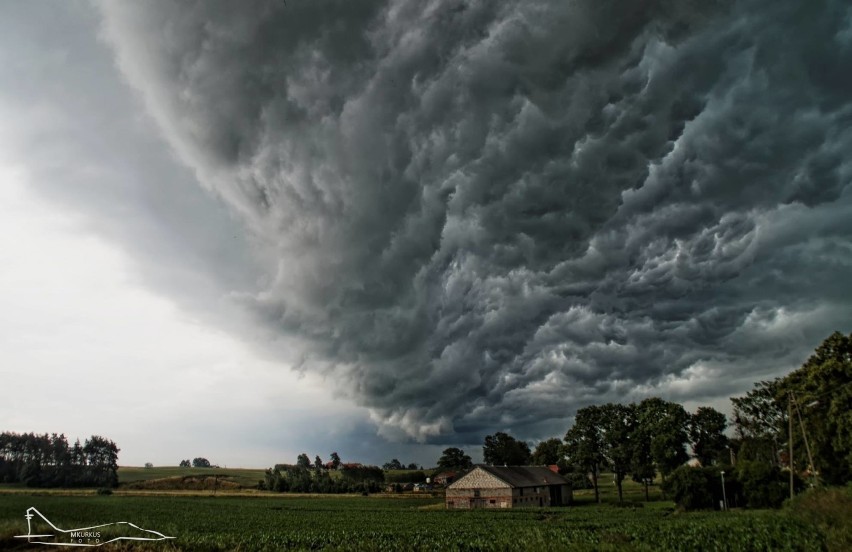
(509, 487)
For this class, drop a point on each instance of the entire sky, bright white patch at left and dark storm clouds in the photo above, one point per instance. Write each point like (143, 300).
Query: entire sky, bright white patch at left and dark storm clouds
(249, 230)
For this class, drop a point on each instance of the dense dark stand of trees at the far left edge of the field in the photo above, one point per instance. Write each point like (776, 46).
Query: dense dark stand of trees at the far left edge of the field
(49, 461)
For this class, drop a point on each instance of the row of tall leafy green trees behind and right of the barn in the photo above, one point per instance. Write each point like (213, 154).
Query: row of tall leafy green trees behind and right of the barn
(809, 411)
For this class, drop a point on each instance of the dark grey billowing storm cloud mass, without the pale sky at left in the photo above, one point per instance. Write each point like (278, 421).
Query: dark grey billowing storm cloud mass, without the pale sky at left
(480, 215)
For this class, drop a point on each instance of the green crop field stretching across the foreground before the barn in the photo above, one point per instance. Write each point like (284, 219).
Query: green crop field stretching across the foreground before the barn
(369, 523)
